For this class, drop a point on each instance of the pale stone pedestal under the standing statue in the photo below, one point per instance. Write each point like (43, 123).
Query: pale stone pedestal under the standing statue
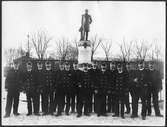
(84, 55)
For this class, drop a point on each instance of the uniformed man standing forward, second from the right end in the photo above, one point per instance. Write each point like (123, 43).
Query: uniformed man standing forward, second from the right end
(139, 90)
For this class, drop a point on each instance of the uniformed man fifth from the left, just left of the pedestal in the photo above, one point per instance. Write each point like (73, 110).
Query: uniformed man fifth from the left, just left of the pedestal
(60, 89)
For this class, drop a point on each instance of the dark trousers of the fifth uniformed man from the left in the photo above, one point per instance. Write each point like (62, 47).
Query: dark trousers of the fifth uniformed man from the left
(60, 100)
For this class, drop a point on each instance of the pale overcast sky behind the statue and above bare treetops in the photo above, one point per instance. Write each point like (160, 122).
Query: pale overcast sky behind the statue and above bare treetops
(111, 20)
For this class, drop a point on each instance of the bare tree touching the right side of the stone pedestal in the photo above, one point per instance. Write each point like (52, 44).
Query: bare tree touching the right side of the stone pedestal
(95, 44)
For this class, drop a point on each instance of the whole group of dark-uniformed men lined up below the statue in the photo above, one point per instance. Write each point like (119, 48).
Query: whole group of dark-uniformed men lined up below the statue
(84, 91)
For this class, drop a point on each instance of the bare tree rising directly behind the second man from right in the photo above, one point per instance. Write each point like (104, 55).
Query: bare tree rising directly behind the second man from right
(141, 49)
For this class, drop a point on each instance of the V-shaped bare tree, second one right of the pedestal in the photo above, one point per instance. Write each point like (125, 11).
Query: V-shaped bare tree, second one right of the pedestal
(106, 46)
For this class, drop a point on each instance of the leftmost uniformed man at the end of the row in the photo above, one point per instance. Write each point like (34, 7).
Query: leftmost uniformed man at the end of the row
(12, 86)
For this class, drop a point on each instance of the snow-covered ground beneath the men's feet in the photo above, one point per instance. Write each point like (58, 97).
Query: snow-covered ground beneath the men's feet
(73, 120)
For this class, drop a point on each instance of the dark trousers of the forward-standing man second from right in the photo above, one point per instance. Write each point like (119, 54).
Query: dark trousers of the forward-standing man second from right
(137, 93)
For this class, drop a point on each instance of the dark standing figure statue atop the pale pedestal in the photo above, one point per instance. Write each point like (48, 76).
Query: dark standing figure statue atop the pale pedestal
(84, 29)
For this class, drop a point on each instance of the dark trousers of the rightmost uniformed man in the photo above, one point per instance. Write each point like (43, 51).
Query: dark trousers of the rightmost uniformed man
(152, 93)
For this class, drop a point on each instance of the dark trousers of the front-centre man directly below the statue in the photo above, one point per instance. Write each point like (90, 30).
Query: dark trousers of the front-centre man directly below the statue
(83, 101)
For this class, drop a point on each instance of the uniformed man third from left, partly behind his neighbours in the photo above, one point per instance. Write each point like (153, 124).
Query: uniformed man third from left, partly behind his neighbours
(40, 82)
